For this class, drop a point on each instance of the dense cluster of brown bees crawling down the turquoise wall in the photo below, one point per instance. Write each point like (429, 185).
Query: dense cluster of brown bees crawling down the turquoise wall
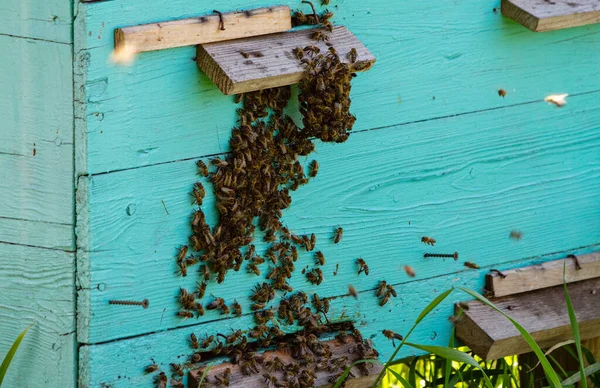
(254, 183)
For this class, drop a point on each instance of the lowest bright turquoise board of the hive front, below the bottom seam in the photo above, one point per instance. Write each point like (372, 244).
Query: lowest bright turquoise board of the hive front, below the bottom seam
(114, 364)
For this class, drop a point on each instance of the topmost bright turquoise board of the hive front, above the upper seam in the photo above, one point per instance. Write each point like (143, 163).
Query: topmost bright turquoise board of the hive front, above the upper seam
(164, 109)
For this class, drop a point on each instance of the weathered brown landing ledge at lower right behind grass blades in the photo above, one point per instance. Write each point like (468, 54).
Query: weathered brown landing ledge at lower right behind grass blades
(543, 313)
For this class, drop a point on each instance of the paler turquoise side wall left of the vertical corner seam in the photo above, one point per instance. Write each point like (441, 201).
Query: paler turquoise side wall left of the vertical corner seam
(37, 249)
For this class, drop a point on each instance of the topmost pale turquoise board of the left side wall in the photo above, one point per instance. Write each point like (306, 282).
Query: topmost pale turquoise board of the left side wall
(45, 20)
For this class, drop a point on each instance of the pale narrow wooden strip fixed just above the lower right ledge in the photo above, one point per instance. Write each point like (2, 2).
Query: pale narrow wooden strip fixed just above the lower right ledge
(543, 275)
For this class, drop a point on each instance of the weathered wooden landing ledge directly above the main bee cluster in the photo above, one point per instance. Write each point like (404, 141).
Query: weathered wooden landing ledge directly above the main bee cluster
(251, 64)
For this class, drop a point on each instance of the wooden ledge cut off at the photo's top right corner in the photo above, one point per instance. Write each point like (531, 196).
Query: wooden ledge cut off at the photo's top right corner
(544, 15)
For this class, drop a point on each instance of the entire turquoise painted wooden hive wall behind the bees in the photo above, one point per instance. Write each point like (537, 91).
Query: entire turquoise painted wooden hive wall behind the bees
(435, 151)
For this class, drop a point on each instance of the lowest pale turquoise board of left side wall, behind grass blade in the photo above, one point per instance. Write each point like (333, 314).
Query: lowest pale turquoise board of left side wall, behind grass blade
(37, 286)
